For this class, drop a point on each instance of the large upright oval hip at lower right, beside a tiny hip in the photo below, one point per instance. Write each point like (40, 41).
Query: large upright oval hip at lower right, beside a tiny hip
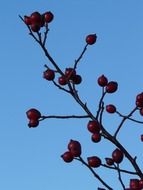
(117, 155)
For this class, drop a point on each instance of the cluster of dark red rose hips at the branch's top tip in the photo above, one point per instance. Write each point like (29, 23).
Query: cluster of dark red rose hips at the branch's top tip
(37, 20)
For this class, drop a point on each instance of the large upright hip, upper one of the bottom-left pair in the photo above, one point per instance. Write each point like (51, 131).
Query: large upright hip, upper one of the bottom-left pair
(75, 148)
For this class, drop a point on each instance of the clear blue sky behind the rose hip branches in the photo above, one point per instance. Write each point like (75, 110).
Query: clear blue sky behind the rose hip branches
(30, 158)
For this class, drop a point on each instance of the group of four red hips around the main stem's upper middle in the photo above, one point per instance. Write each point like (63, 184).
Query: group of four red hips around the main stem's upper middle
(69, 75)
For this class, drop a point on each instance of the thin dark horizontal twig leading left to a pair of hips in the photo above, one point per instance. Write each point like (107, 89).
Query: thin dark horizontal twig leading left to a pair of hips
(64, 117)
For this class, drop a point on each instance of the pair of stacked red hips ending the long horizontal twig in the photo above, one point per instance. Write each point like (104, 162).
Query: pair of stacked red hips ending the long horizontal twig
(33, 115)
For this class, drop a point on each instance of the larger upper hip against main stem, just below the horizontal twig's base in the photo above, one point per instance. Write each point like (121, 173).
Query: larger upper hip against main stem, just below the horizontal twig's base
(93, 126)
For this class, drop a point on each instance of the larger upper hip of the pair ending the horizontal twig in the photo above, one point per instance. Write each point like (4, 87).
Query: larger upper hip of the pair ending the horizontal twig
(33, 114)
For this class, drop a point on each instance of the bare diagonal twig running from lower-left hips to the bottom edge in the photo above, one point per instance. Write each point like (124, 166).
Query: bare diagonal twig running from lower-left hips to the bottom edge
(94, 173)
